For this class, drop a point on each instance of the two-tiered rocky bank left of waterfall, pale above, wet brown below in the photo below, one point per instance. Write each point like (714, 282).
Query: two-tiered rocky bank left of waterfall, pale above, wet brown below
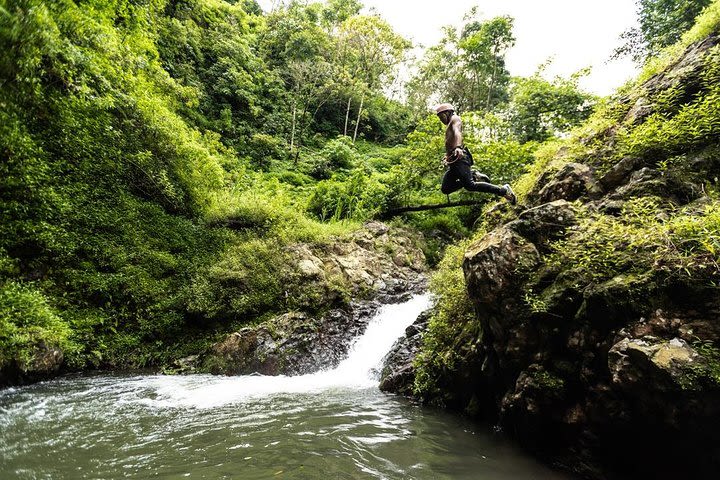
(376, 264)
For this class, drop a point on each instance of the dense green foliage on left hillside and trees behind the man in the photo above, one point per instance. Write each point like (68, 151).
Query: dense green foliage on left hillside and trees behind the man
(158, 157)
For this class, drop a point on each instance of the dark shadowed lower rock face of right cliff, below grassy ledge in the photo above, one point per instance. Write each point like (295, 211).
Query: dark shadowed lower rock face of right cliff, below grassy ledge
(601, 374)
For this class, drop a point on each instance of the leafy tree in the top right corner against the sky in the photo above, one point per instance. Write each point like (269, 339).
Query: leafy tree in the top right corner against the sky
(662, 23)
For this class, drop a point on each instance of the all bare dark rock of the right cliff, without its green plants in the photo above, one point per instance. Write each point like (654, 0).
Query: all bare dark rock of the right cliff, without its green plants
(612, 376)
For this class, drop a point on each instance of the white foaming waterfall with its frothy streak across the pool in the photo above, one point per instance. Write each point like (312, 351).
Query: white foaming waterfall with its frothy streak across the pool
(358, 371)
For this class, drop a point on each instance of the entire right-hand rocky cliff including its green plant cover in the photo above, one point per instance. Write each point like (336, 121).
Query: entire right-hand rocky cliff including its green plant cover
(597, 299)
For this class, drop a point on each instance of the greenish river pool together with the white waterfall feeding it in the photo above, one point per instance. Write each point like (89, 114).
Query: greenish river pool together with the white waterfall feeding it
(334, 424)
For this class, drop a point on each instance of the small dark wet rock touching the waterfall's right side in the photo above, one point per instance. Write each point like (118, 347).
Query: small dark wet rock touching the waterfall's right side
(398, 373)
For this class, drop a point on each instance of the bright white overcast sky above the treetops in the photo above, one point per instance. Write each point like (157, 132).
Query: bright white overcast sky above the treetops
(575, 33)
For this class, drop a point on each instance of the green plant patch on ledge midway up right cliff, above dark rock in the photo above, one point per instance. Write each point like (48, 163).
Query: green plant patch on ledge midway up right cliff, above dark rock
(649, 234)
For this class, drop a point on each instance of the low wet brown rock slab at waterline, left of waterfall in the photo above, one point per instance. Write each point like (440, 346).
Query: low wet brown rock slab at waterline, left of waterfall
(296, 343)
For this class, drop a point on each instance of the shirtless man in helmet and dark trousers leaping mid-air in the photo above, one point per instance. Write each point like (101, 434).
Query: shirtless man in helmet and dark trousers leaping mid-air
(458, 160)
